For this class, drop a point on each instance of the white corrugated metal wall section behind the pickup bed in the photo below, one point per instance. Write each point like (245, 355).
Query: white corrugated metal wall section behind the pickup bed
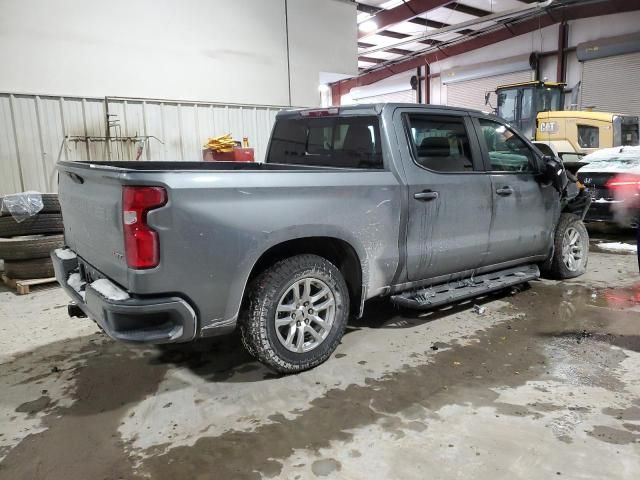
(33, 129)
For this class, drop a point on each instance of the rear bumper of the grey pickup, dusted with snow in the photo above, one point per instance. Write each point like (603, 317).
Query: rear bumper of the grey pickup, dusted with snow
(138, 320)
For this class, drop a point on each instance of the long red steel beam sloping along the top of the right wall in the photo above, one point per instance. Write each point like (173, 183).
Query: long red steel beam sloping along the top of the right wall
(574, 12)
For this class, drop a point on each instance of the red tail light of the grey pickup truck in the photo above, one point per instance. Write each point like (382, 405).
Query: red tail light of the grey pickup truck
(140, 240)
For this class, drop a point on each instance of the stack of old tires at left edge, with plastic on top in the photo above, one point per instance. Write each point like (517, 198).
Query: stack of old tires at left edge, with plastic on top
(25, 246)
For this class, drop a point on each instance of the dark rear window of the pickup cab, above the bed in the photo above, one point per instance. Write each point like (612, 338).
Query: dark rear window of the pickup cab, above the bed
(344, 142)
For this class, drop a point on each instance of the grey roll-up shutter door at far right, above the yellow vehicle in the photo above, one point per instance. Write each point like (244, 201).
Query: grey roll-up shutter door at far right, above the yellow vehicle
(610, 84)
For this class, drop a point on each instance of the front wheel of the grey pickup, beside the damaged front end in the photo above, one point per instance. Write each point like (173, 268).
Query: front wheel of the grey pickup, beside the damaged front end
(571, 249)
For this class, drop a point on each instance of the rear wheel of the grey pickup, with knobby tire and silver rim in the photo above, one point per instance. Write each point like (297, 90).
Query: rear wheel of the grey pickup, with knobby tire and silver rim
(295, 313)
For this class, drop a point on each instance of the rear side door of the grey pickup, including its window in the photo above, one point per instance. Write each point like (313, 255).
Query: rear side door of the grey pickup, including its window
(449, 194)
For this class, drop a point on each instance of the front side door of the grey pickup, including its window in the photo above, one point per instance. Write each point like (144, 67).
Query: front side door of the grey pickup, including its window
(525, 209)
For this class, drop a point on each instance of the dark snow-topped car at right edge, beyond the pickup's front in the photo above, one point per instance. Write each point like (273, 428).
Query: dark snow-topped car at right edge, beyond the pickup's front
(600, 168)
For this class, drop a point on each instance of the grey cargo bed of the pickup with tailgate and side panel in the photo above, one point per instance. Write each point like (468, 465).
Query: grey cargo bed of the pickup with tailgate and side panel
(219, 219)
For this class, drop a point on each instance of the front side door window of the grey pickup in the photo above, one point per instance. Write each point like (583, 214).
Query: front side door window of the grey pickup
(507, 151)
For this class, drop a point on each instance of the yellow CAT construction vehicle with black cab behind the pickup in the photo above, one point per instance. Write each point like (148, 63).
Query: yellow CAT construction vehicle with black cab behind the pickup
(537, 110)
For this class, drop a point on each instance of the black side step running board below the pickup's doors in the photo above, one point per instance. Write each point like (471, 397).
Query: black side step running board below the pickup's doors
(450, 292)
